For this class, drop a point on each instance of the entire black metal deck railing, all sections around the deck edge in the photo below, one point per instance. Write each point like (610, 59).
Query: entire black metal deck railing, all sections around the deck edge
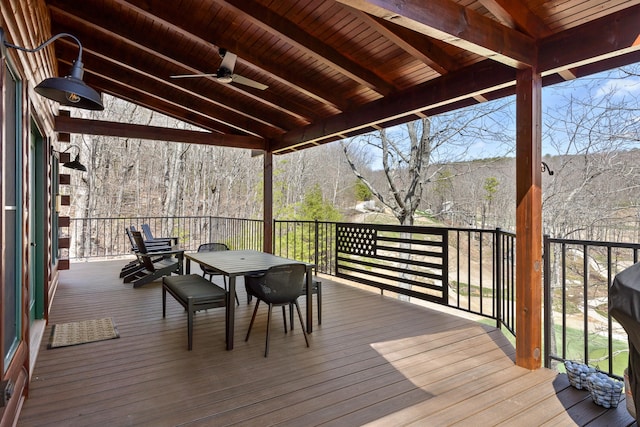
(478, 267)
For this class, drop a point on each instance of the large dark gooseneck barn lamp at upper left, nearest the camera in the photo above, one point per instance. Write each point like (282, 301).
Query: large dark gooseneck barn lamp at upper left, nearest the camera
(70, 90)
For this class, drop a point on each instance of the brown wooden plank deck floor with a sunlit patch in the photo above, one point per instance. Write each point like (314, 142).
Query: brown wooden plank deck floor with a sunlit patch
(374, 360)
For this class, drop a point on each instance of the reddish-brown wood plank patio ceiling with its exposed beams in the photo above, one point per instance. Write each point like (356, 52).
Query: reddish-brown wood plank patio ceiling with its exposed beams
(333, 68)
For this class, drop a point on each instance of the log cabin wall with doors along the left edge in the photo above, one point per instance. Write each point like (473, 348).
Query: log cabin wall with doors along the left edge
(27, 119)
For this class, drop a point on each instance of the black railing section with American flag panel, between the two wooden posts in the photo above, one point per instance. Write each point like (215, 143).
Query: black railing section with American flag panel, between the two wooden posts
(477, 265)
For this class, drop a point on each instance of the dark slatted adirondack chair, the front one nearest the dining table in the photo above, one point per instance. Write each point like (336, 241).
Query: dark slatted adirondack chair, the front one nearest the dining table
(154, 264)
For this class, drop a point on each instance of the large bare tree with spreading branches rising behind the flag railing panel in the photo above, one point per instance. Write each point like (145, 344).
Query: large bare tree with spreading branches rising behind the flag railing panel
(416, 153)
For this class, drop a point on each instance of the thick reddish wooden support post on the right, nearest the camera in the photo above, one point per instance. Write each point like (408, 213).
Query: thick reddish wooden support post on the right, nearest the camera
(528, 219)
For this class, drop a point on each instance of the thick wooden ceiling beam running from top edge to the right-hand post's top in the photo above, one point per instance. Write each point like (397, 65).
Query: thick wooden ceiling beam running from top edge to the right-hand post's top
(448, 21)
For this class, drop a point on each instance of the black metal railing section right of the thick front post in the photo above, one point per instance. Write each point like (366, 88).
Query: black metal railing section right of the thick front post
(577, 324)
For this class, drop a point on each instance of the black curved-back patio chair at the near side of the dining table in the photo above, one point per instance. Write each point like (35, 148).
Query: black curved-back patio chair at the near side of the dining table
(279, 286)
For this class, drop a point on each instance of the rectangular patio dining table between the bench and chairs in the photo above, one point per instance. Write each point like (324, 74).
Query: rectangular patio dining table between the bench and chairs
(238, 263)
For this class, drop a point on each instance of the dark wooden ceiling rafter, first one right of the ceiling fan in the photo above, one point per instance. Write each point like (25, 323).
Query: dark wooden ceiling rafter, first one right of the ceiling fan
(264, 18)
